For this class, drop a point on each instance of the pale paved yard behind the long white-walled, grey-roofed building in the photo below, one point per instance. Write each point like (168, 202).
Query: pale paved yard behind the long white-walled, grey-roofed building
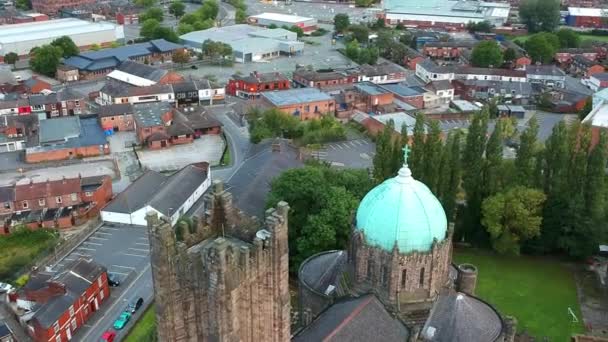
(208, 148)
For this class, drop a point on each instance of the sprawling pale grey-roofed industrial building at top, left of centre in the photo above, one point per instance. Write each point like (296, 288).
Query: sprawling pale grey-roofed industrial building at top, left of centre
(249, 43)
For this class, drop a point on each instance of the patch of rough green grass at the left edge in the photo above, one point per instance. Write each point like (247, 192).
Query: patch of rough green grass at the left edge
(21, 249)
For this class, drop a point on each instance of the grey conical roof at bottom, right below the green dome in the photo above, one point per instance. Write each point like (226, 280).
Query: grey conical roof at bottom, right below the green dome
(457, 317)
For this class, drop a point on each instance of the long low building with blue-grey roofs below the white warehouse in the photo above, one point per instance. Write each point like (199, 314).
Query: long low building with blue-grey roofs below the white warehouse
(94, 64)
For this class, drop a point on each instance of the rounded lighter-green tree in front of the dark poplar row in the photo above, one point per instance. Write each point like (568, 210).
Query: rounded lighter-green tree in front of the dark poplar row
(512, 217)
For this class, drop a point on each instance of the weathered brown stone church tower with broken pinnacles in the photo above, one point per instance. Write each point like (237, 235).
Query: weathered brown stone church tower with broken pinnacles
(228, 281)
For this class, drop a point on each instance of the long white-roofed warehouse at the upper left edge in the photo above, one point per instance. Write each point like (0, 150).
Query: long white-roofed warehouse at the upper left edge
(21, 38)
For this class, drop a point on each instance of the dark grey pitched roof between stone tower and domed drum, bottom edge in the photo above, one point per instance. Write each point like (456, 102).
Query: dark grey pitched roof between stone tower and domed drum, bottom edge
(361, 319)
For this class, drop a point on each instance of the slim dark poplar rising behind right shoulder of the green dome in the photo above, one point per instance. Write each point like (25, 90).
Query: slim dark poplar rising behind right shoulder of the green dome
(432, 156)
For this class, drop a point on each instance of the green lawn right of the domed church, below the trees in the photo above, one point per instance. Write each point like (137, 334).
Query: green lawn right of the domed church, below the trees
(538, 292)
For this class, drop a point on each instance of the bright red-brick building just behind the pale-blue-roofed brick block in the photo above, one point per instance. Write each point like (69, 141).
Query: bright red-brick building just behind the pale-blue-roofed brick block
(252, 85)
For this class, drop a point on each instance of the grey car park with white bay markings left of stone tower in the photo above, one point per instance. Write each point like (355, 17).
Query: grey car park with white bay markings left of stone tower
(125, 252)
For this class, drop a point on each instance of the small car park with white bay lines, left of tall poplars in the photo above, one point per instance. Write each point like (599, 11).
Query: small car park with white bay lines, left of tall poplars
(357, 153)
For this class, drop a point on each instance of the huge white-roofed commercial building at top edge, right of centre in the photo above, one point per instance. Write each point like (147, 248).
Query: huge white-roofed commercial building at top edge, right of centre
(447, 14)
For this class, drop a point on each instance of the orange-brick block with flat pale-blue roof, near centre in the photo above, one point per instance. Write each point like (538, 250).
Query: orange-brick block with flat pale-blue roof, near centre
(304, 103)
